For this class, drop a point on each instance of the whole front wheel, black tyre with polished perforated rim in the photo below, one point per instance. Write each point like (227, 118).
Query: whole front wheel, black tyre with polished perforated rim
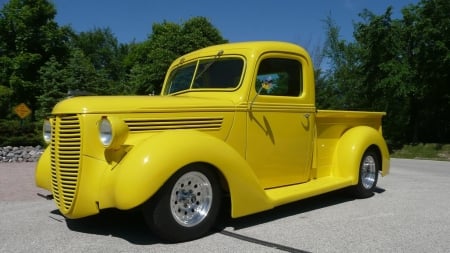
(187, 206)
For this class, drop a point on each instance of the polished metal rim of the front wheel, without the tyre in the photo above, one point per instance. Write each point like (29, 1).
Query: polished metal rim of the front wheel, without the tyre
(191, 199)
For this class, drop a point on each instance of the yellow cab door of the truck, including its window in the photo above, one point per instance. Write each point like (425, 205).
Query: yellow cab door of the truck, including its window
(280, 123)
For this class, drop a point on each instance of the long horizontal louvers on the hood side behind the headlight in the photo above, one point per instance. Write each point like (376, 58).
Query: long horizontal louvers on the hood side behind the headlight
(141, 125)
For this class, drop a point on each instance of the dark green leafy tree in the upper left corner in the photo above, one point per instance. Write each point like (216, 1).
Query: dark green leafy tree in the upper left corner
(28, 38)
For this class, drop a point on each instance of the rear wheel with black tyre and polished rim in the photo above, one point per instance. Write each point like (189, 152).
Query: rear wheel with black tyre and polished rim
(368, 174)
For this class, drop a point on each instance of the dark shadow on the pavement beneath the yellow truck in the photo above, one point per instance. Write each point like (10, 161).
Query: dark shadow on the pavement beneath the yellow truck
(131, 226)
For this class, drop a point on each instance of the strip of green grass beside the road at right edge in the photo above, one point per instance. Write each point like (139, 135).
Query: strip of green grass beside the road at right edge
(430, 151)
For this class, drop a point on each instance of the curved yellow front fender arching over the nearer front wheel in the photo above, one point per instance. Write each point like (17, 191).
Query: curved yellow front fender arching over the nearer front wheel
(150, 164)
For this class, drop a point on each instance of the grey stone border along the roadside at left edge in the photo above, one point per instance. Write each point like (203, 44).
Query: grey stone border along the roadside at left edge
(11, 154)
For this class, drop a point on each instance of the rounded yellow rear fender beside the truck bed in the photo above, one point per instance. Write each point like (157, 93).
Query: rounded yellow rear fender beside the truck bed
(351, 147)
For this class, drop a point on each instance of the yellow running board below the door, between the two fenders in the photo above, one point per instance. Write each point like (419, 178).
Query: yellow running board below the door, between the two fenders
(291, 193)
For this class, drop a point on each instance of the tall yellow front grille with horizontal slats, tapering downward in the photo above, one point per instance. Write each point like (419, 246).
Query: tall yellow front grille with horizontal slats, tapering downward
(65, 159)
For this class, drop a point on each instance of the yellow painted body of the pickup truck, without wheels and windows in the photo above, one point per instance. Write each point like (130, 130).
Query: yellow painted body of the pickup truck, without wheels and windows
(268, 150)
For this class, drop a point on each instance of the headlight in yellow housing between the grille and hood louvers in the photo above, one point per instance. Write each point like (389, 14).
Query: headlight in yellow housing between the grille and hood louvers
(112, 132)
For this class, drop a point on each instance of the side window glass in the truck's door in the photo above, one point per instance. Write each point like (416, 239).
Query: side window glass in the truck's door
(279, 77)
